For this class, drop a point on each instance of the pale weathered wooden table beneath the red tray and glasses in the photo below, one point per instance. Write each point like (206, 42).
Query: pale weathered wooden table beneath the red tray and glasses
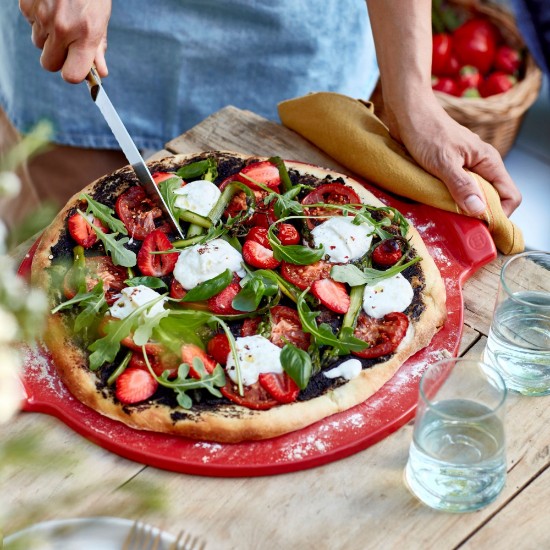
(359, 502)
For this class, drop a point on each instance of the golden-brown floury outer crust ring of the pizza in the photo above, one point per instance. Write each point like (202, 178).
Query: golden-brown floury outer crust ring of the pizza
(228, 423)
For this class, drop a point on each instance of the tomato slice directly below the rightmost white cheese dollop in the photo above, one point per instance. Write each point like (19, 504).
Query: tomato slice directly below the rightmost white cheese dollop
(383, 335)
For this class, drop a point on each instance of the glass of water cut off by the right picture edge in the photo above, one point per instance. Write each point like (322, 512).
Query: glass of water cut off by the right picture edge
(519, 339)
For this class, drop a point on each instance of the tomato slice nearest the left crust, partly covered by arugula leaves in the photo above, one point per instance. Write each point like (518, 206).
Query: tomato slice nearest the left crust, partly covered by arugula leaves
(96, 268)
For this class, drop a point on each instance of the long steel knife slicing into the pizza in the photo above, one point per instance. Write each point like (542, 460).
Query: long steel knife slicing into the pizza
(127, 145)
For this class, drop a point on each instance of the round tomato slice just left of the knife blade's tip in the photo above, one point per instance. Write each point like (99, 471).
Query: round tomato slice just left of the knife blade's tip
(138, 213)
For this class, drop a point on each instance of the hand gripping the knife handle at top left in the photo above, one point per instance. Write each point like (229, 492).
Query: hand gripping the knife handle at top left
(72, 34)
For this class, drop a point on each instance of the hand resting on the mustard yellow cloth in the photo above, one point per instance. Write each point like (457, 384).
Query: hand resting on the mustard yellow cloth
(444, 148)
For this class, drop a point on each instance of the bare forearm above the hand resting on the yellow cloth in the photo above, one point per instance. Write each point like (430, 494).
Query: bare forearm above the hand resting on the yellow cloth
(403, 39)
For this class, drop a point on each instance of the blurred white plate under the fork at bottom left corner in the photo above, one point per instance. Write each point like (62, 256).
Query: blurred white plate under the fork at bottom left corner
(83, 534)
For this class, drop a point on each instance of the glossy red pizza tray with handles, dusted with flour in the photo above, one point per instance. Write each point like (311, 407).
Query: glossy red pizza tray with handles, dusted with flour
(459, 246)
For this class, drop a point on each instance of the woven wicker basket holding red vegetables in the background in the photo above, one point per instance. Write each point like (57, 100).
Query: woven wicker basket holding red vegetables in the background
(496, 119)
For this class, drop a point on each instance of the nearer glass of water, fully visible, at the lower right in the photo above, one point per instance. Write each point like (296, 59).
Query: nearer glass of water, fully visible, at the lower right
(457, 459)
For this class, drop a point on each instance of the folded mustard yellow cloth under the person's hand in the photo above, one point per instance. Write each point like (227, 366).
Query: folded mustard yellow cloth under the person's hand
(348, 130)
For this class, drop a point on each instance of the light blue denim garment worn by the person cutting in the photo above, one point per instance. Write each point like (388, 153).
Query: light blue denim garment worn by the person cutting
(174, 62)
